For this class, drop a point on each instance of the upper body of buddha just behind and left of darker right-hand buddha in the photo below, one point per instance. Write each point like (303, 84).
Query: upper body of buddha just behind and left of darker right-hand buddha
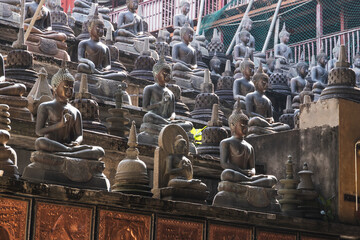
(244, 85)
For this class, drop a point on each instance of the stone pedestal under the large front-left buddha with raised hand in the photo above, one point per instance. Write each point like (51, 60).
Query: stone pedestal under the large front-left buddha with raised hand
(72, 172)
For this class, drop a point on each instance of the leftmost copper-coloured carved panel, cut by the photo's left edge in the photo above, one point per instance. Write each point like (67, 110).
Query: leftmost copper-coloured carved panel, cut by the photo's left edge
(13, 219)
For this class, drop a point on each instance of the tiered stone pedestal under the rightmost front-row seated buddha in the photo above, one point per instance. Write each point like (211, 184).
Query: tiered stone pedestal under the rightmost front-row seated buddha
(237, 195)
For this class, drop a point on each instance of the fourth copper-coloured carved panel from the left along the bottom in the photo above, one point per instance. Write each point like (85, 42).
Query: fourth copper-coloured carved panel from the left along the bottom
(170, 229)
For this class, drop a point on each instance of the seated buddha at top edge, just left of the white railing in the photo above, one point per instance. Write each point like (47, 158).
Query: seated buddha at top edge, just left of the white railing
(130, 24)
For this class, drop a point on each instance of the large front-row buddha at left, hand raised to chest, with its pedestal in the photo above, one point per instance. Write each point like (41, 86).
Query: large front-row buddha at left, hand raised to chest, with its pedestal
(59, 157)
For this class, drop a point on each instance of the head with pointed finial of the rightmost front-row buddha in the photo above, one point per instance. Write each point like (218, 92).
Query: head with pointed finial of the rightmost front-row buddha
(238, 121)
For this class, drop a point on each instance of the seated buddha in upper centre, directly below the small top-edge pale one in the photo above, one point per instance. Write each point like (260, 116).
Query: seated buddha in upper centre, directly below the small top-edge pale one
(185, 69)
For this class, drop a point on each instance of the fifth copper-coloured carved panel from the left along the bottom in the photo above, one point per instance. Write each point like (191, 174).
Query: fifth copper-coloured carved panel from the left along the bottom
(222, 232)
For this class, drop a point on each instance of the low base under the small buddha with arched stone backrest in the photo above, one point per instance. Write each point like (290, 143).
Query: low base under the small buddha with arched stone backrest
(180, 194)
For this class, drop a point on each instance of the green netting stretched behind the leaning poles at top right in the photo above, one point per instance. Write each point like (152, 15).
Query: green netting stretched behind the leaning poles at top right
(299, 16)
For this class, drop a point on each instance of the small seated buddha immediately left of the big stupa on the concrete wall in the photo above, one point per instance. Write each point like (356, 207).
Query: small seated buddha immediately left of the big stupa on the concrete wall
(319, 74)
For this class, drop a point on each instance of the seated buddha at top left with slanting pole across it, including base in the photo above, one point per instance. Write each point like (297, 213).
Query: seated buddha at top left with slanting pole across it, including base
(42, 39)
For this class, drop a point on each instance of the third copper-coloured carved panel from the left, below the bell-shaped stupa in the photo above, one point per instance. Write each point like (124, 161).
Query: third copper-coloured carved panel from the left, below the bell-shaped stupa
(119, 225)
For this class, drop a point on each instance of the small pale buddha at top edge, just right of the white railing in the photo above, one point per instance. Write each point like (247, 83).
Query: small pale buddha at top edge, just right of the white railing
(180, 20)
